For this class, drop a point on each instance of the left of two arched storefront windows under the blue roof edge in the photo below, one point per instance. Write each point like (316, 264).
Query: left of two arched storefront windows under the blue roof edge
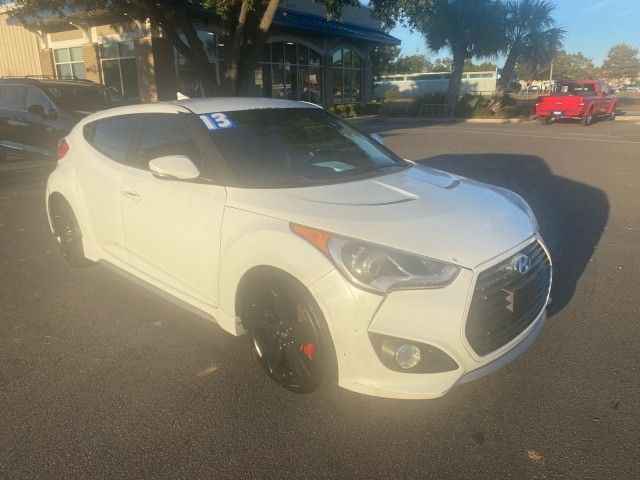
(294, 72)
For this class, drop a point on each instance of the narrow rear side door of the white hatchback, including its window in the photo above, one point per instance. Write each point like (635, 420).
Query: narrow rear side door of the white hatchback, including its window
(100, 178)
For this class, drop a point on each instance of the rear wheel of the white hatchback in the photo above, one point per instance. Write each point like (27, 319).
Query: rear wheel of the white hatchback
(67, 233)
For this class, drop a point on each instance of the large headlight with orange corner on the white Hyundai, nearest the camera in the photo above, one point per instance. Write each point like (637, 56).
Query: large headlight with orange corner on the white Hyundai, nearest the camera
(377, 268)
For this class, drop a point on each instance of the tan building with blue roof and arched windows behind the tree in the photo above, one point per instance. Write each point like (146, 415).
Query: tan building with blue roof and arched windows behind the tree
(308, 57)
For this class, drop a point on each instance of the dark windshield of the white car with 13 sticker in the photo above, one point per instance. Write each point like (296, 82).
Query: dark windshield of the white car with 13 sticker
(291, 147)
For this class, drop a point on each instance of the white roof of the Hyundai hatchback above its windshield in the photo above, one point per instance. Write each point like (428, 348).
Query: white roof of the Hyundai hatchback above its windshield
(230, 104)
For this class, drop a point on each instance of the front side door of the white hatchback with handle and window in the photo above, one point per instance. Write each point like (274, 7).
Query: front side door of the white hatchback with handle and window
(172, 227)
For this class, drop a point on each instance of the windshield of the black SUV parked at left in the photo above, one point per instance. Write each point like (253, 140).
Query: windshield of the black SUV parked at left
(85, 98)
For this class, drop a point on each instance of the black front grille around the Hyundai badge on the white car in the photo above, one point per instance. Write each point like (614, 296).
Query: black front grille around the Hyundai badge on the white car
(505, 302)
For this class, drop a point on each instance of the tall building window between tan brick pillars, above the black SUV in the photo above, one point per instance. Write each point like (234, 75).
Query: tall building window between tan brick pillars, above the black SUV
(119, 68)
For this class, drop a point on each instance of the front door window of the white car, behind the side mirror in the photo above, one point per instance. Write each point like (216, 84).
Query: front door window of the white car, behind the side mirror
(164, 134)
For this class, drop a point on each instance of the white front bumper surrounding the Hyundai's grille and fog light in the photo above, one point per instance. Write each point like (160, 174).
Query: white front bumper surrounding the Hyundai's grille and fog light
(436, 317)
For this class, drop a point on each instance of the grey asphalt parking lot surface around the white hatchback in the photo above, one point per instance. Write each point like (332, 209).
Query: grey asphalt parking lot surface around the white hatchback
(101, 379)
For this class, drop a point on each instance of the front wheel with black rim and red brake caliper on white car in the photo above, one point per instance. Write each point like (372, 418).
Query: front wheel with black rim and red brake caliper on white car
(288, 334)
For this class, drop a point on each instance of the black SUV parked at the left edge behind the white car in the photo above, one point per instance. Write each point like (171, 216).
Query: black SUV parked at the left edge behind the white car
(36, 112)
